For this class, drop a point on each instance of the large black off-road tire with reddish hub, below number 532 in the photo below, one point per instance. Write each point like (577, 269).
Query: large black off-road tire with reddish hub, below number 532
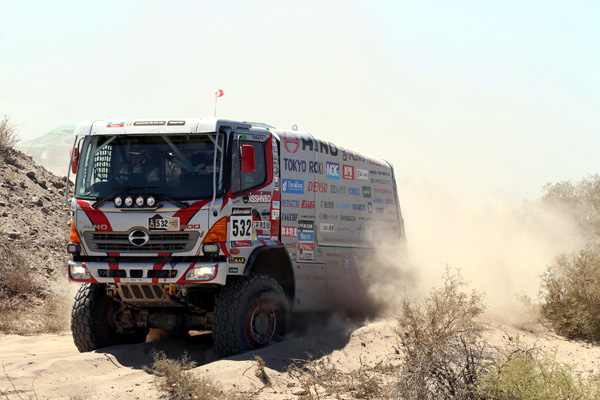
(241, 306)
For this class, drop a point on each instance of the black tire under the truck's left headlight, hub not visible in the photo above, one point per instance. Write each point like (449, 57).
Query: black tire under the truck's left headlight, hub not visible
(90, 322)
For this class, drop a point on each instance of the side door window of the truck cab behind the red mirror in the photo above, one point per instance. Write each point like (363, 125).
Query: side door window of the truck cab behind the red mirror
(243, 181)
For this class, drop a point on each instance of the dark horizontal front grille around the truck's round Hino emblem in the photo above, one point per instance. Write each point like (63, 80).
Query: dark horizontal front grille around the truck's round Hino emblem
(159, 242)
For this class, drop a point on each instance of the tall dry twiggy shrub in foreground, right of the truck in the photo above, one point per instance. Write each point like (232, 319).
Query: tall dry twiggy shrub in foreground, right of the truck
(442, 343)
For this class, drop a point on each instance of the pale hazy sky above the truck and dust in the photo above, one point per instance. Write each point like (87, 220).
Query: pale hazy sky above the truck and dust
(475, 95)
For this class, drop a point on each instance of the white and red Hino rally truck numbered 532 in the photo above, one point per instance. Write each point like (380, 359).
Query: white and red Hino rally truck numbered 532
(217, 225)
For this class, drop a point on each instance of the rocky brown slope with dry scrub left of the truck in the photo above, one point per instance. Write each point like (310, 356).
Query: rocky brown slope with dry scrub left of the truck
(34, 229)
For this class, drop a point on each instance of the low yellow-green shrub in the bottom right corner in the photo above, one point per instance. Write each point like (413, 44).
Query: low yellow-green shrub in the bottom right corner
(529, 374)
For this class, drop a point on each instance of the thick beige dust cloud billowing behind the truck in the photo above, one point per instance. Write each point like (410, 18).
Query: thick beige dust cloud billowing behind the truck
(500, 246)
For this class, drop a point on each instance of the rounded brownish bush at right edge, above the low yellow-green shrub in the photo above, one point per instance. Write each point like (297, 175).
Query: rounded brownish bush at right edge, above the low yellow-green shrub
(571, 295)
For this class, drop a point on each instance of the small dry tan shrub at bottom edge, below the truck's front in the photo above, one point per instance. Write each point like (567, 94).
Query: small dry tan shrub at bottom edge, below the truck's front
(174, 377)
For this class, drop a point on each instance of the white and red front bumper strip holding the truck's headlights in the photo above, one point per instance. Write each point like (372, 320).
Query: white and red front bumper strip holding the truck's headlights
(143, 272)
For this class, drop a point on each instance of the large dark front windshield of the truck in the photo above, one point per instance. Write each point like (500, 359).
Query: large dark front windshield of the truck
(178, 166)
